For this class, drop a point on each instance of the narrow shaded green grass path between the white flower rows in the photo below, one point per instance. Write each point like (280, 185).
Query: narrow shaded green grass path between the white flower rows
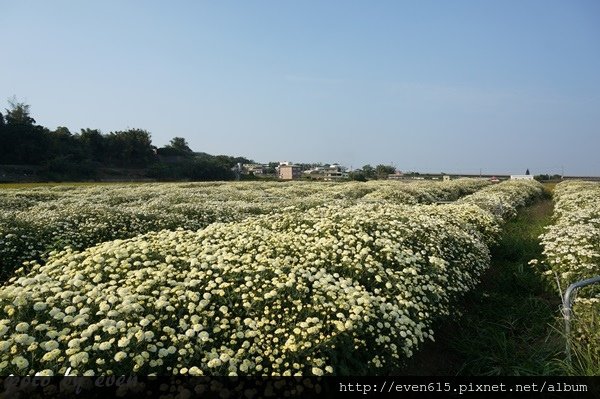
(505, 326)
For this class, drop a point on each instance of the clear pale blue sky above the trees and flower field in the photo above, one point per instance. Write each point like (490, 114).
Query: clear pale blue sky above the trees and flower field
(433, 86)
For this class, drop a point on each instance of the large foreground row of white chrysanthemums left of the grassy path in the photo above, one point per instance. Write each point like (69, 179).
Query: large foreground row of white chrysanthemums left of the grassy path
(334, 289)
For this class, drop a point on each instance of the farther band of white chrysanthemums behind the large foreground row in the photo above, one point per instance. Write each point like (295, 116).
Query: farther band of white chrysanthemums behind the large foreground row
(35, 221)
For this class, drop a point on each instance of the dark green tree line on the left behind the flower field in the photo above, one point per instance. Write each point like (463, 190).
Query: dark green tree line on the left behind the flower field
(62, 155)
